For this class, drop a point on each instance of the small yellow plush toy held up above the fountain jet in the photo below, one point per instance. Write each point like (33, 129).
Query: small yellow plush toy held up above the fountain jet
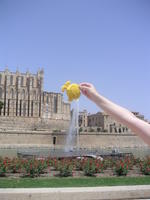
(72, 90)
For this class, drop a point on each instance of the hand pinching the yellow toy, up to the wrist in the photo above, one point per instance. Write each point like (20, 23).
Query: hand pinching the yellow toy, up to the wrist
(88, 90)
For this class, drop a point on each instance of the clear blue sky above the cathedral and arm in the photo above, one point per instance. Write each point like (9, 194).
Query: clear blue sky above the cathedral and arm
(106, 42)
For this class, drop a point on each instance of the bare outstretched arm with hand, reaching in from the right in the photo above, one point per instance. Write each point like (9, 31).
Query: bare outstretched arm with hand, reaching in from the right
(122, 115)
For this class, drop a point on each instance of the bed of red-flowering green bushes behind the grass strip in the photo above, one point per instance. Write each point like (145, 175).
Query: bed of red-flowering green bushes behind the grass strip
(128, 166)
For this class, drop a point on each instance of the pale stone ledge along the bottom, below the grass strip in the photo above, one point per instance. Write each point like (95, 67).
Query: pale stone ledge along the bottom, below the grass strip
(82, 193)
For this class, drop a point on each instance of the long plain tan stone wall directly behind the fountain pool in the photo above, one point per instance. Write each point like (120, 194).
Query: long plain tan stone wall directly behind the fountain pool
(86, 140)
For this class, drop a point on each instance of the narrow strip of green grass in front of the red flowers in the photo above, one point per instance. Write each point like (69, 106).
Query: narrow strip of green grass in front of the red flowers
(72, 182)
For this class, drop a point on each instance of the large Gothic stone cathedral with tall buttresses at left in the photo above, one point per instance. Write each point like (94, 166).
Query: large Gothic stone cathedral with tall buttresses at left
(23, 95)
